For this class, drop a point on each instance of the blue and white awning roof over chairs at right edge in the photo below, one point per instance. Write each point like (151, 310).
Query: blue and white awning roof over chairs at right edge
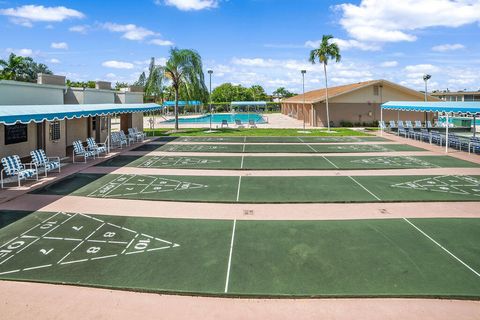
(453, 107)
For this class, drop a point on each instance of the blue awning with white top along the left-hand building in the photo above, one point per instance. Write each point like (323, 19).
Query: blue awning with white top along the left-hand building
(12, 114)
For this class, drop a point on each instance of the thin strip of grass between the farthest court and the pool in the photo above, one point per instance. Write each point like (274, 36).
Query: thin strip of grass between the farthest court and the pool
(253, 132)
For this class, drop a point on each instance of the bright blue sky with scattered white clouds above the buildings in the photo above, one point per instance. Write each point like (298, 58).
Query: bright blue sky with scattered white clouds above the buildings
(249, 42)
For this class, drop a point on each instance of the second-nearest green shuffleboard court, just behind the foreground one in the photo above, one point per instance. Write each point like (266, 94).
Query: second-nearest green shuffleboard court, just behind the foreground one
(251, 189)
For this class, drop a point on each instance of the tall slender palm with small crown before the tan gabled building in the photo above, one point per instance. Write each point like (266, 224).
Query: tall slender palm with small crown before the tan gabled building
(325, 52)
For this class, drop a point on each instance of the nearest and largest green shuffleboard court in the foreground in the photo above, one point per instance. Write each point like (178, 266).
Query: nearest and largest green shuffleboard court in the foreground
(355, 258)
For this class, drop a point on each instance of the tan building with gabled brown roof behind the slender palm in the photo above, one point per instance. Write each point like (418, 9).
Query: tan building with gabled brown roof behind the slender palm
(354, 103)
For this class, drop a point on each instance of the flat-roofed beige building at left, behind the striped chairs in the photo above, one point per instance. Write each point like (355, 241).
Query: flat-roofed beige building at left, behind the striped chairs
(56, 137)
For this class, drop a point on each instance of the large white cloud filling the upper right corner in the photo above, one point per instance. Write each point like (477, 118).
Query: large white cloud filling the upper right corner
(393, 21)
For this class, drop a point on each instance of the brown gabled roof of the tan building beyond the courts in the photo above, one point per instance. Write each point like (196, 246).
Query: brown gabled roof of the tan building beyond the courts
(316, 96)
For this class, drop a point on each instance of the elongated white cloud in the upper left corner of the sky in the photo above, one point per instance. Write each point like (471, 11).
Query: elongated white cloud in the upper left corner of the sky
(26, 15)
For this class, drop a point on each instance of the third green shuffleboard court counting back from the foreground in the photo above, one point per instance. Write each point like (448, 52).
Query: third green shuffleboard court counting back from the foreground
(288, 163)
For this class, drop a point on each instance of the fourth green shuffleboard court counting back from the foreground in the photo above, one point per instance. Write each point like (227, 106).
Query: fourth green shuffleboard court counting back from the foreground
(278, 148)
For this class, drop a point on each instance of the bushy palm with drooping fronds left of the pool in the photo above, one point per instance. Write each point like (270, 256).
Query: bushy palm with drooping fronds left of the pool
(185, 71)
